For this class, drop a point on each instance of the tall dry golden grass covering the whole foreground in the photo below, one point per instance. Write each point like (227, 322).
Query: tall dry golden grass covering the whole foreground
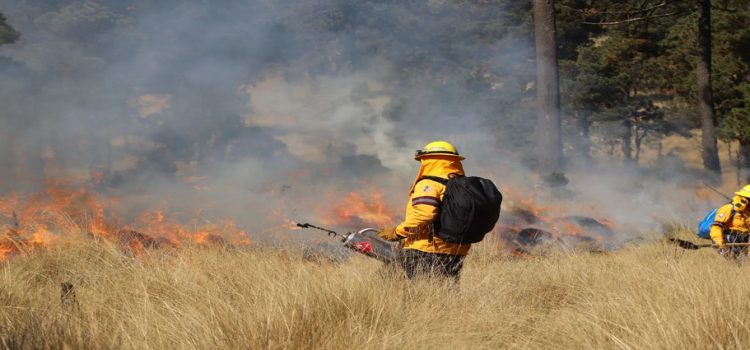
(647, 297)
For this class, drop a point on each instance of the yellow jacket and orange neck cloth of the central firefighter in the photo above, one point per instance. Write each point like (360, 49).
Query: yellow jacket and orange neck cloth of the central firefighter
(424, 199)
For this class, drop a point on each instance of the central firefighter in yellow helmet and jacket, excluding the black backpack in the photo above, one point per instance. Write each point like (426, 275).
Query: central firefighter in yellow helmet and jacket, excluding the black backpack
(423, 252)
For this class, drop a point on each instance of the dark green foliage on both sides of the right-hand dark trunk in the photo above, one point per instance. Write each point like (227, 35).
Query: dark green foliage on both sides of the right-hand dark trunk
(638, 70)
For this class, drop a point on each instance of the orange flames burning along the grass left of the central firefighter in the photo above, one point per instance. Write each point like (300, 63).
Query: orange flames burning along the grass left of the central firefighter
(37, 220)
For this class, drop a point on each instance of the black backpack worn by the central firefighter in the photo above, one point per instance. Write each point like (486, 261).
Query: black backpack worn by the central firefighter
(470, 209)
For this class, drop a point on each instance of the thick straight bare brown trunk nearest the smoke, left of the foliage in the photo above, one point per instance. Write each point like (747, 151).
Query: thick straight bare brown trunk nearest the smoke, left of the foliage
(549, 129)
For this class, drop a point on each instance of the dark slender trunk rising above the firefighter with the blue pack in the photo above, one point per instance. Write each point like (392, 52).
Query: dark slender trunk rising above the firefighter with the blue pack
(710, 151)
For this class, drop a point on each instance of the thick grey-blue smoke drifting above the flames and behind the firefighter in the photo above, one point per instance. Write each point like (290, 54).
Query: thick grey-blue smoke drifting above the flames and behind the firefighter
(263, 110)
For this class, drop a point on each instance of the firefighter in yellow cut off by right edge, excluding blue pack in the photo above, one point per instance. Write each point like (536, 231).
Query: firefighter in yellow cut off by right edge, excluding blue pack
(731, 224)
